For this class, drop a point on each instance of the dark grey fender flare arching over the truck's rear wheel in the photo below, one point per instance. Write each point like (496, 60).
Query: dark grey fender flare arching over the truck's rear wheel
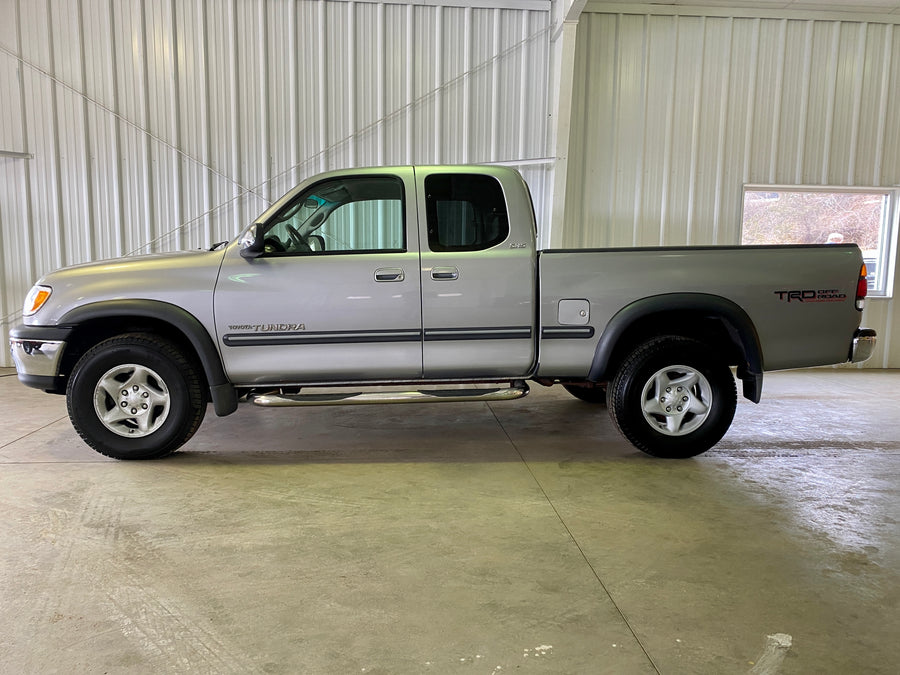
(733, 317)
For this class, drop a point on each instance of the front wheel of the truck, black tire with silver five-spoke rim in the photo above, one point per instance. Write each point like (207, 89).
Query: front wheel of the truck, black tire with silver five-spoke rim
(135, 396)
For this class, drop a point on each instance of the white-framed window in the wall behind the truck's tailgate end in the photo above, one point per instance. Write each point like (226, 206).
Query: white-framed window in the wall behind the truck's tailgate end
(824, 215)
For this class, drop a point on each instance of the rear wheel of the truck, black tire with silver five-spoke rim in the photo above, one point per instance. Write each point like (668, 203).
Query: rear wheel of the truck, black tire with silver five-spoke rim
(673, 397)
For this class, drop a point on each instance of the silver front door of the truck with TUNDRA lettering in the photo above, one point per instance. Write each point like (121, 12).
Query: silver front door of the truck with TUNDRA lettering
(336, 294)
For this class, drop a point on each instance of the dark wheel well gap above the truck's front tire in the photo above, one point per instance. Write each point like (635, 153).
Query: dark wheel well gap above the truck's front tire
(94, 331)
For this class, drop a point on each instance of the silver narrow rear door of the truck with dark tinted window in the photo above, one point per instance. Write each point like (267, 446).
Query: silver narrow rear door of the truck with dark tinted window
(478, 280)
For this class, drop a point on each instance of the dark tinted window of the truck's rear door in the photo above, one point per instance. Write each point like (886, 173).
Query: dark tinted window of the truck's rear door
(466, 212)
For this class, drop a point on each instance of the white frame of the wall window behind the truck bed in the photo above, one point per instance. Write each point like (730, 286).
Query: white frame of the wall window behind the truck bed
(886, 261)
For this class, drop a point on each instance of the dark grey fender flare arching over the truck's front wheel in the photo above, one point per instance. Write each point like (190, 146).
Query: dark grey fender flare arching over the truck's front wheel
(222, 392)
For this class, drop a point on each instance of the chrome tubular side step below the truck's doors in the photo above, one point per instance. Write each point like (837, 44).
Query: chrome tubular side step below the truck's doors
(513, 391)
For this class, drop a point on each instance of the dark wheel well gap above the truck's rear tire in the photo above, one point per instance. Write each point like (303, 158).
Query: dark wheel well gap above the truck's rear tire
(704, 327)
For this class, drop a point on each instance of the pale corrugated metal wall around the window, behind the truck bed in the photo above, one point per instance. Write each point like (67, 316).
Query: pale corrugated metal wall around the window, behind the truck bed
(672, 115)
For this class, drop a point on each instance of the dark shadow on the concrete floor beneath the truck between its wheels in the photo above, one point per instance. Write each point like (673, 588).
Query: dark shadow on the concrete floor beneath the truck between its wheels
(558, 430)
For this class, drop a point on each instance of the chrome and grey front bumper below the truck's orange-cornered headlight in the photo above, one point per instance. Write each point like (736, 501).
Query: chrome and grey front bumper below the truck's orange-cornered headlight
(37, 352)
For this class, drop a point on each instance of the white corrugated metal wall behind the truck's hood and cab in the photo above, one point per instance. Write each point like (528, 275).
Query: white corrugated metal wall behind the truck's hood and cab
(163, 124)
